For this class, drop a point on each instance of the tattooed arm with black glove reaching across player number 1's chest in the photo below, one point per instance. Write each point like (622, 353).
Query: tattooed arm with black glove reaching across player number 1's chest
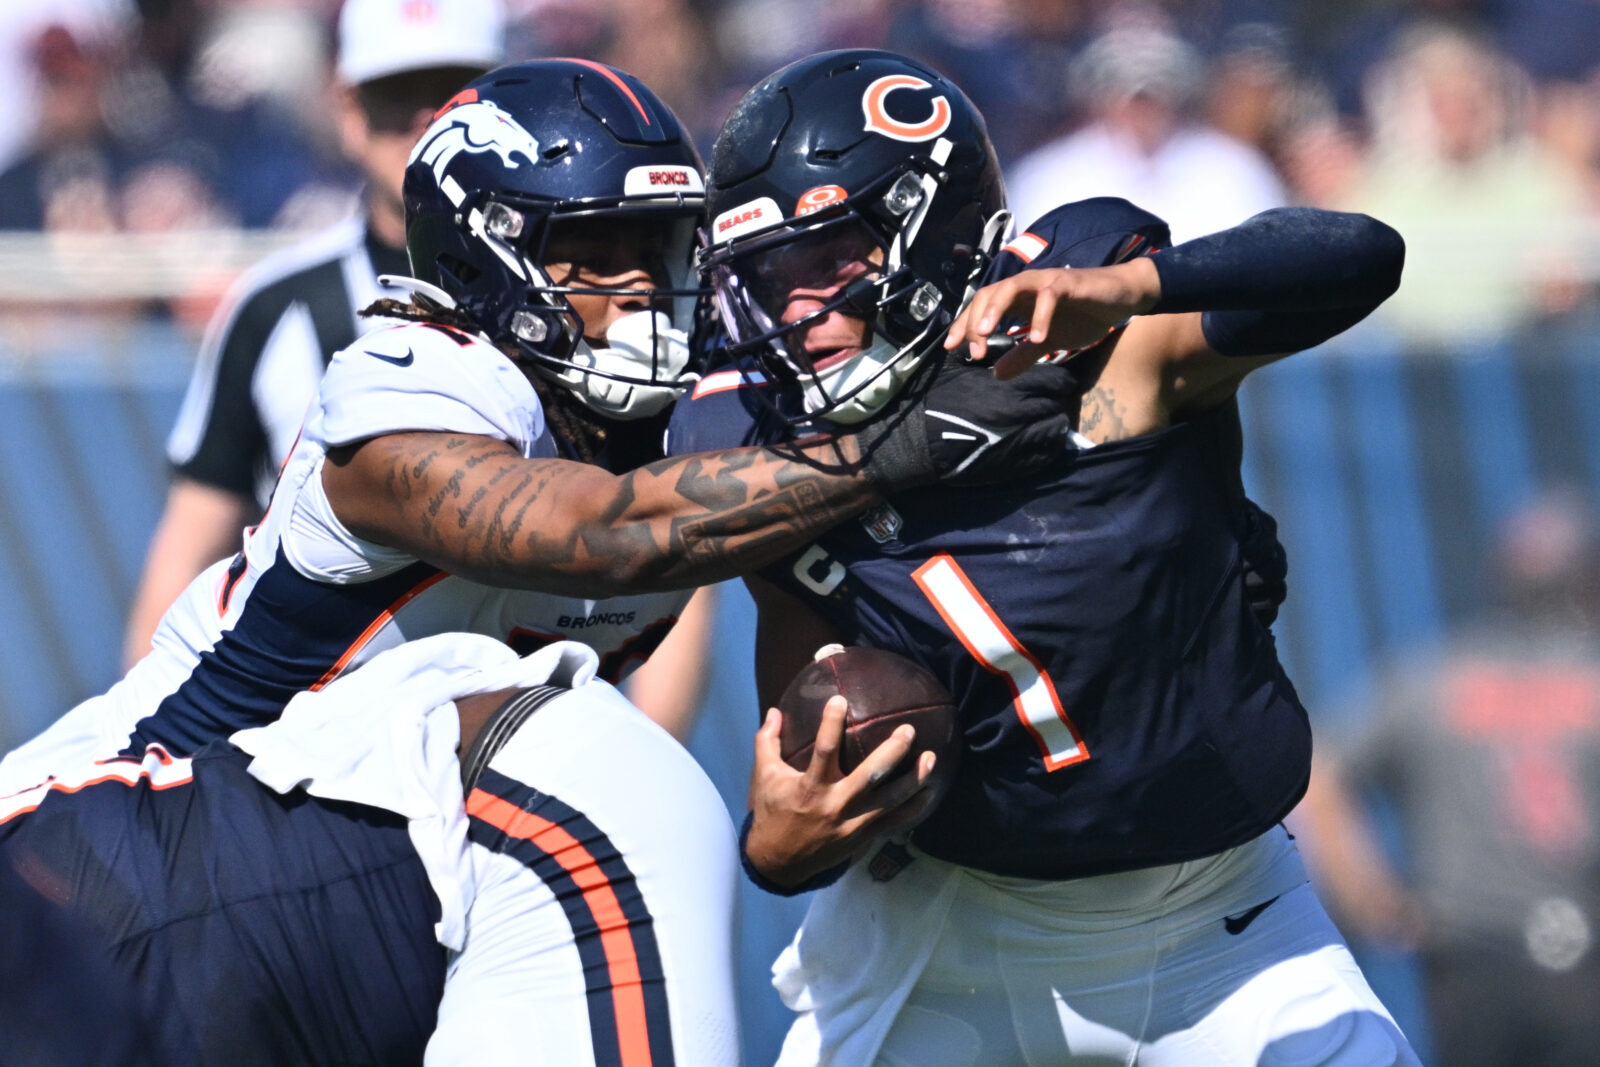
(474, 506)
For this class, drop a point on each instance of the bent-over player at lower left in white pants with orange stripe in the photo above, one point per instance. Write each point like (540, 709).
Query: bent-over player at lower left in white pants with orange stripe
(342, 887)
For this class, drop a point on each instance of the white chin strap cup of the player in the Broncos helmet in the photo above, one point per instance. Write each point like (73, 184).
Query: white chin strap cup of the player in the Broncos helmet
(642, 369)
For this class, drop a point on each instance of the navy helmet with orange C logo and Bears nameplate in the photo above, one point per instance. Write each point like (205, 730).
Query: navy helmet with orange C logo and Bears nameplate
(846, 158)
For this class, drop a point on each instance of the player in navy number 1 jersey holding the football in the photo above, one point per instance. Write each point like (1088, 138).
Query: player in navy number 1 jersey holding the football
(1108, 879)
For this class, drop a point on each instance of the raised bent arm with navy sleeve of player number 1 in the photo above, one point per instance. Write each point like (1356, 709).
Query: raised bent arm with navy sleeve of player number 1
(1202, 314)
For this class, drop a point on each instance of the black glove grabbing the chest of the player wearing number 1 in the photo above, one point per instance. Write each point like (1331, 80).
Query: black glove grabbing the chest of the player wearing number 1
(962, 426)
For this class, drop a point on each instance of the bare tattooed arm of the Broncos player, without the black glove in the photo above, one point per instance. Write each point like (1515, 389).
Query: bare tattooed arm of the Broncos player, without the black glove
(476, 508)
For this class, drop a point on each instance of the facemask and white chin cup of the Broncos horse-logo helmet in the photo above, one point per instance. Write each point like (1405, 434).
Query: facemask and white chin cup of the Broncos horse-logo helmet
(644, 361)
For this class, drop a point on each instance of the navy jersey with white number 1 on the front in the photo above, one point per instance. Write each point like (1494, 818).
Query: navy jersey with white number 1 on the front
(1121, 705)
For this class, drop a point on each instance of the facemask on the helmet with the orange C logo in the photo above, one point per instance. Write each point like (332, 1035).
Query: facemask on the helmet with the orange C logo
(780, 287)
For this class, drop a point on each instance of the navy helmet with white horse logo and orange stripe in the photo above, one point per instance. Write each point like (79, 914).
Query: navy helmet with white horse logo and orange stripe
(551, 150)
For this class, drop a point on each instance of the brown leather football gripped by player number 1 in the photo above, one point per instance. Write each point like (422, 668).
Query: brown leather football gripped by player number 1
(884, 690)
